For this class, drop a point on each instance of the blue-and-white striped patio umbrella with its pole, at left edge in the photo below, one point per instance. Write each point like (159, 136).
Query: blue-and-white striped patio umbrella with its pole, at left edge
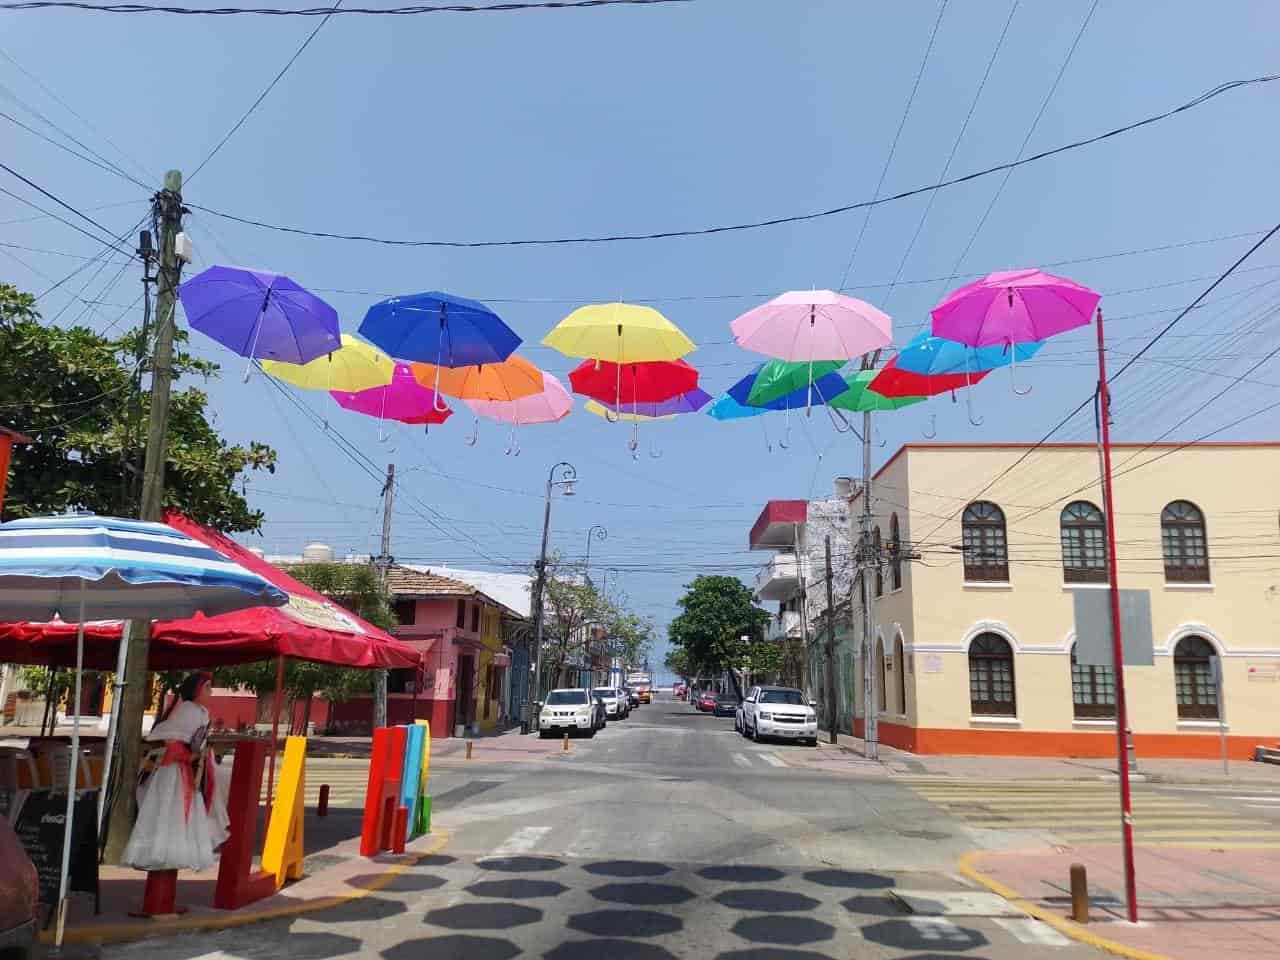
(90, 568)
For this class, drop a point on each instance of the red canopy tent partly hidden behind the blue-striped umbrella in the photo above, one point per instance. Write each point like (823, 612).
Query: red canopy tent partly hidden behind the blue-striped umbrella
(309, 628)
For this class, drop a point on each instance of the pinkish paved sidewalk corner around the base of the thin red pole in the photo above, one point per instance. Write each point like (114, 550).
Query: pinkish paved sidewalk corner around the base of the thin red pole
(1194, 903)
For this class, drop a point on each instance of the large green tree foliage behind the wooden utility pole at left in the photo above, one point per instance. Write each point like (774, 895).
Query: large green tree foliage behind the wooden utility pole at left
(76, 394)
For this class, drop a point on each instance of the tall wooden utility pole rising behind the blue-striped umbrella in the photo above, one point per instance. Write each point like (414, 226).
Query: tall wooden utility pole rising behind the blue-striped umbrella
(168, 211)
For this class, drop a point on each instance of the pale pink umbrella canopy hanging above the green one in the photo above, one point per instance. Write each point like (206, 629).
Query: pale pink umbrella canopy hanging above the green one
(804, 326)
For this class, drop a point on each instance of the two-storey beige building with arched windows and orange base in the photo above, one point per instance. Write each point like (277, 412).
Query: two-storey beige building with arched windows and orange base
(976, 638)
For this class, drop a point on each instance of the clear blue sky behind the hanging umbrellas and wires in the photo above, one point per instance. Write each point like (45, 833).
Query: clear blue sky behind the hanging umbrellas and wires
(624, 120)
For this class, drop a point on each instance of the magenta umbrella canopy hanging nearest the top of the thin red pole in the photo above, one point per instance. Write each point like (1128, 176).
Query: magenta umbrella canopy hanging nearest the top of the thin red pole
(1014, 307)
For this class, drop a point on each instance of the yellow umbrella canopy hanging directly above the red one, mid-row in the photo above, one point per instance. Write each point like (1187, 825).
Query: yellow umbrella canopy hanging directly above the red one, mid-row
(624, 333)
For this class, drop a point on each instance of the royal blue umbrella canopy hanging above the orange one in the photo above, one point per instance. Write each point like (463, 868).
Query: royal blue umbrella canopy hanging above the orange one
(441, 330)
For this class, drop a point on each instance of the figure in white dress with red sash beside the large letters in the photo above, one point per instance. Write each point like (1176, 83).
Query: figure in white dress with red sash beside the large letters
(182, 811)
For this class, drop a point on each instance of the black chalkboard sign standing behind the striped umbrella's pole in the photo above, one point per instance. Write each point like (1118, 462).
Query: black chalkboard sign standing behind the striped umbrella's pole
(40, 830)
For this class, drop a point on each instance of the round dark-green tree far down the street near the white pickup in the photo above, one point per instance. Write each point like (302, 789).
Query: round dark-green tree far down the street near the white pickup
(720, 629)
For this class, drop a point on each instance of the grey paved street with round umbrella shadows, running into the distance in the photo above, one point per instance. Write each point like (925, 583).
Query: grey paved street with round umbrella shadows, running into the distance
(666, 836)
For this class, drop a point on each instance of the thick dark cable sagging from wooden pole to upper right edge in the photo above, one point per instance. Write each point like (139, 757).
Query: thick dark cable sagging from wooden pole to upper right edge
(757, 225)
